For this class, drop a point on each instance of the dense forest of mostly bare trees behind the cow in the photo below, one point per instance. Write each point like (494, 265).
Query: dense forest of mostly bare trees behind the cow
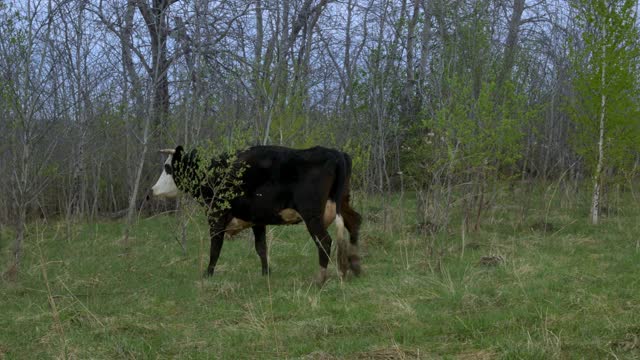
(451, 100)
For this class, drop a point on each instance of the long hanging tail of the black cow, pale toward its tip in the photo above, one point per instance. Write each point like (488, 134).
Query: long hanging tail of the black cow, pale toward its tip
(343, 171)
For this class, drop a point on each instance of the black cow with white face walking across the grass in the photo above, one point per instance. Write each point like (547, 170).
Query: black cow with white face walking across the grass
(277, 186)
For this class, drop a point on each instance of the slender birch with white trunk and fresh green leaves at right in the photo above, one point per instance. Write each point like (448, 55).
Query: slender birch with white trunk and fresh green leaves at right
(606, 84)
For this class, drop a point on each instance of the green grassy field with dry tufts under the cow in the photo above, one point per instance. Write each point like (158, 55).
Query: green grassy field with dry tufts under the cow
(510, 290)
